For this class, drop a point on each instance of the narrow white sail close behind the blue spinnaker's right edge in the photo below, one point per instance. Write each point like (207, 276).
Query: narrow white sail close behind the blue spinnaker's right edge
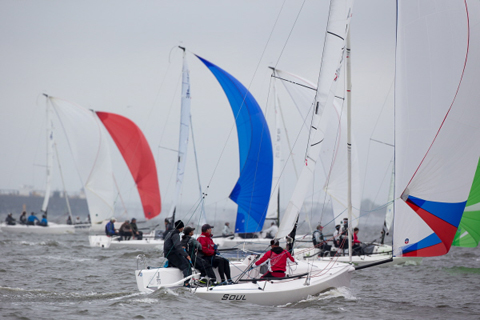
(272, 210)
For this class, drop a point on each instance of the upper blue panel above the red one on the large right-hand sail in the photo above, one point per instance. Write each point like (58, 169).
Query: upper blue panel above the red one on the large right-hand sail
(449, 212)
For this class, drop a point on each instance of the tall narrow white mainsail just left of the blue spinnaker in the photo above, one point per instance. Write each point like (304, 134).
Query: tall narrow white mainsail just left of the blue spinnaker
(184, 133)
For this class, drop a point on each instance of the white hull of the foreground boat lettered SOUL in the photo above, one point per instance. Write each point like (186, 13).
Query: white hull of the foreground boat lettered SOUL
(323, 275)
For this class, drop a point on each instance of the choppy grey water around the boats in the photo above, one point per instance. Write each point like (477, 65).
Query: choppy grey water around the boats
(61, 277)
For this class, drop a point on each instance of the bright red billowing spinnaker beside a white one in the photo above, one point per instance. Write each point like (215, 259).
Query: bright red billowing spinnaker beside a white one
(139, 158)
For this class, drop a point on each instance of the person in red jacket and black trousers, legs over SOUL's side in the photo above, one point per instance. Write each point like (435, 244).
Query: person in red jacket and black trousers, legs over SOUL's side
(210, 254)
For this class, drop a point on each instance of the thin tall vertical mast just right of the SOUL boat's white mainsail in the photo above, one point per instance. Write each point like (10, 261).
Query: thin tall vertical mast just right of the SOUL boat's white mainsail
(349, 145)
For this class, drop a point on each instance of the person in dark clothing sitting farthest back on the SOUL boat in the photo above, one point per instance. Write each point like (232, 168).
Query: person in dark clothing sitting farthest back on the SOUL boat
(174, 252)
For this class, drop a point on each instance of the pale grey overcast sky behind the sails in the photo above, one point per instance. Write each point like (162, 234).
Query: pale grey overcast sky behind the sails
(119, 56)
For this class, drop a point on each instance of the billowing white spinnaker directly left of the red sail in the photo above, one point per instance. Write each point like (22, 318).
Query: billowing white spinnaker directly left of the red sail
(88, 144)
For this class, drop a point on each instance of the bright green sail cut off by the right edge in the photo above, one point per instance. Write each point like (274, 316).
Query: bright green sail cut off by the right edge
(468, 233)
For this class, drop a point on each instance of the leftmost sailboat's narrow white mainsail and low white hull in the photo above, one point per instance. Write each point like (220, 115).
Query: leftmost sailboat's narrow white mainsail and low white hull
(51, 228)
